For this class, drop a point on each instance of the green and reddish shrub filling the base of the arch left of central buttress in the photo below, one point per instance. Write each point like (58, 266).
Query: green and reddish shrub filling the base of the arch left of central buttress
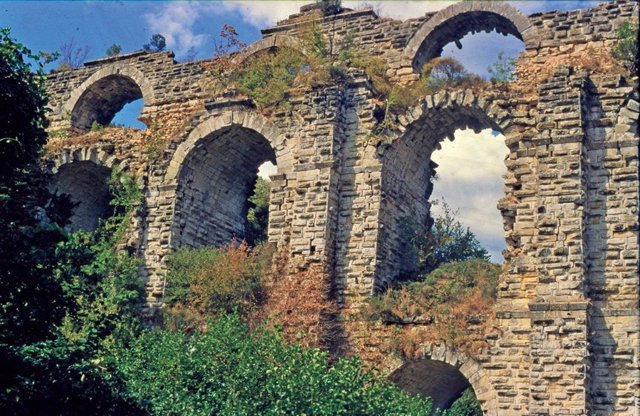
(213, 280)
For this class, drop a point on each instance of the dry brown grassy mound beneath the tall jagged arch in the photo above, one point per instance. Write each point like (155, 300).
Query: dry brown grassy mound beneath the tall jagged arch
(455, 307)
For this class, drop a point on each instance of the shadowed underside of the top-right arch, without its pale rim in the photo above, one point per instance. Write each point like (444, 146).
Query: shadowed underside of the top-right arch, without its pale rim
(455, 28)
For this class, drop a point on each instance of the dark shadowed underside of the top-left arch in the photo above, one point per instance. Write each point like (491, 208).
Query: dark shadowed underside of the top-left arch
(102, 100)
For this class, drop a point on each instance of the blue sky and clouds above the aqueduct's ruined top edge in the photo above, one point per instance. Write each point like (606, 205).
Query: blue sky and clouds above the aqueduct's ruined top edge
(46, 25)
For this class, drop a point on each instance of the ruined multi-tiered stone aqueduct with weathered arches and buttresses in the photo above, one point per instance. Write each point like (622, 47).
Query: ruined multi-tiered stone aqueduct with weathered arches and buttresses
(567, 309)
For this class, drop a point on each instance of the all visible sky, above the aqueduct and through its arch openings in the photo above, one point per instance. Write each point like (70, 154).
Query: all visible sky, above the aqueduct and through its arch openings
(46, 25)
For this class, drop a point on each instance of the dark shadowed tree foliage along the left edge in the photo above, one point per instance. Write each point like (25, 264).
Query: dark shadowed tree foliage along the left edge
(30, 299)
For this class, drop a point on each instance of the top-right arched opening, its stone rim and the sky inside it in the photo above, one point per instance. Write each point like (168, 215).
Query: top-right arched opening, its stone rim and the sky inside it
(452, 25)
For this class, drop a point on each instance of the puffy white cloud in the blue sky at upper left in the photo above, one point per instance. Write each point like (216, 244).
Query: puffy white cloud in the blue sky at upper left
(175, 22)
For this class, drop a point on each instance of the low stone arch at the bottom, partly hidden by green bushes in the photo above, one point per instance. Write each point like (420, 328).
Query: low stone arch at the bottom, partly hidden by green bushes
(443, 374)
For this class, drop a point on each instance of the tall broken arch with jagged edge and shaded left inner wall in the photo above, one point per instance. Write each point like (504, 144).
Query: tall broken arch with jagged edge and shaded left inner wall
(407, 169)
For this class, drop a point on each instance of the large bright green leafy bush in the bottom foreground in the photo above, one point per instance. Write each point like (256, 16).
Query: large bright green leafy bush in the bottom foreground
(227, 370)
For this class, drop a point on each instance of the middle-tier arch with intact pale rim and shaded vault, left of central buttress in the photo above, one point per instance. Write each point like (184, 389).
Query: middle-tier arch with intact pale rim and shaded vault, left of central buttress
(214, 171)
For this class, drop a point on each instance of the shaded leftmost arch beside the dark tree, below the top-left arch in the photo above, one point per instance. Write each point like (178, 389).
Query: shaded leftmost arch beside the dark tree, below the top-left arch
(84, 174)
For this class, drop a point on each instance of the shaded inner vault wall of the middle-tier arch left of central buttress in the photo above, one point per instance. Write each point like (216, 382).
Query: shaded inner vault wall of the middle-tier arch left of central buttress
(214, 185)
